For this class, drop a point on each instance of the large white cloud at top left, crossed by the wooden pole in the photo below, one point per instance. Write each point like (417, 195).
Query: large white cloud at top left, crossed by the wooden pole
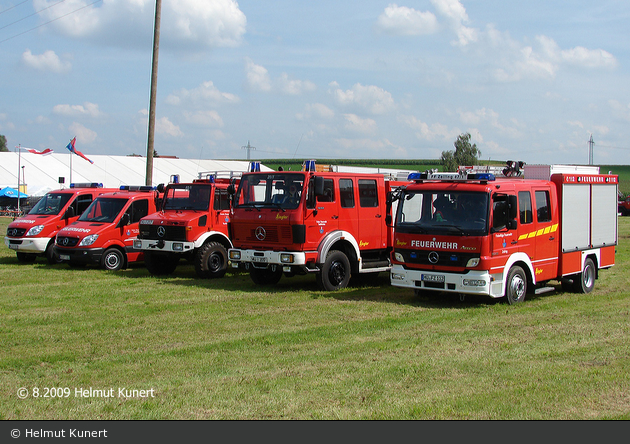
(201, 23)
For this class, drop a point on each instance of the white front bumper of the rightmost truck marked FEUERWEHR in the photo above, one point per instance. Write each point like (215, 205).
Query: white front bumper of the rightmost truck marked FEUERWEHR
(478, 282)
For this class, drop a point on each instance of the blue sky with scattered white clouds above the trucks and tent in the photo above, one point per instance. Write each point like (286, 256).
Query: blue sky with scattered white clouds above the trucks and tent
(362, 79)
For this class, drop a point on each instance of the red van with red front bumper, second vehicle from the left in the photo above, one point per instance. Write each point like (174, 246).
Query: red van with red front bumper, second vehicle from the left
(105, 232)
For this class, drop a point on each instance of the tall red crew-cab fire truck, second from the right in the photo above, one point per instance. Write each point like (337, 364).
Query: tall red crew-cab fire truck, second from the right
(317, 220)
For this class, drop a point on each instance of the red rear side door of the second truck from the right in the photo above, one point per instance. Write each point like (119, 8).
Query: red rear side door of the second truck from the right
(371, 215)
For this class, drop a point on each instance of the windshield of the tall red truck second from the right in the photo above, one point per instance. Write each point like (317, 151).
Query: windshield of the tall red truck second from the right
(280, 190)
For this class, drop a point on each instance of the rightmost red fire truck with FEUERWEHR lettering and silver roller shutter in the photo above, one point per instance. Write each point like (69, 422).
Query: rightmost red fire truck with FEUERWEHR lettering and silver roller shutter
(480, 232)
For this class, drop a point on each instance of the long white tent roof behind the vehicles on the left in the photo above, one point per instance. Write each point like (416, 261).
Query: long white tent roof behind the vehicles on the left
(41, 173)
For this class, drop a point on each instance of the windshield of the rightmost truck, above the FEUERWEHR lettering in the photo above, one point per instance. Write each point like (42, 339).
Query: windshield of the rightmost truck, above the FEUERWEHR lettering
(437, 212)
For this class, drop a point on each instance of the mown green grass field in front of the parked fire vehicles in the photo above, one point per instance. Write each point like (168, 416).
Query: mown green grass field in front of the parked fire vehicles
(228, 349)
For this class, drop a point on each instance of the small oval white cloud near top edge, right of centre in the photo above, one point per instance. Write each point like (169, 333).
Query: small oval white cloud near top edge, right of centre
(401, 20)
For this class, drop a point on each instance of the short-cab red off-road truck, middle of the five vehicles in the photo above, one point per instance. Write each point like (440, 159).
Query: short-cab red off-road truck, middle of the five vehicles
(191, 224)
